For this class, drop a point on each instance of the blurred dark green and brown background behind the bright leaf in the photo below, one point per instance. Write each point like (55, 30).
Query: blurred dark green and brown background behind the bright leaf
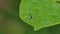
(10, 22)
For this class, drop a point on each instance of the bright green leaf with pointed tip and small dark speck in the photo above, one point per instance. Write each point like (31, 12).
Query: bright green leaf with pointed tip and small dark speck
(40, 13)
